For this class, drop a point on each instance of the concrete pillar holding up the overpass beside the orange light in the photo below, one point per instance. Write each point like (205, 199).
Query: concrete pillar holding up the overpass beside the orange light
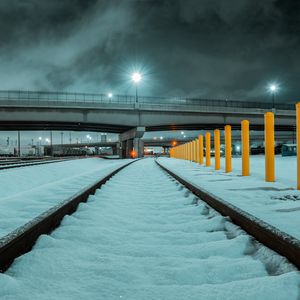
(131, 141)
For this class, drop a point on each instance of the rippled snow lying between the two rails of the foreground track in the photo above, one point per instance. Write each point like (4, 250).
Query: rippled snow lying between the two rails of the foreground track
(142, 236)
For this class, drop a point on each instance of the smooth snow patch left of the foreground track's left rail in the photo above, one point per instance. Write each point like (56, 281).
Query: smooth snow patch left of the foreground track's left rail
(29, 191)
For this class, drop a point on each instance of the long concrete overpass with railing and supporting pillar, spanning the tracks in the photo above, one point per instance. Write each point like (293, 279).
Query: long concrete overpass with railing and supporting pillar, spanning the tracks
(32, 110)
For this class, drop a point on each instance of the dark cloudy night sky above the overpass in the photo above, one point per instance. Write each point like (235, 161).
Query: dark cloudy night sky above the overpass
(202, 48)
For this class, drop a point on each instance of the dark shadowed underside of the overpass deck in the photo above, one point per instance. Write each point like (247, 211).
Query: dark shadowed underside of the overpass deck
(74, 126)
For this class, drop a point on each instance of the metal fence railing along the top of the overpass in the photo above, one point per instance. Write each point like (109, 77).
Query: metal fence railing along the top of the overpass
(65, 98)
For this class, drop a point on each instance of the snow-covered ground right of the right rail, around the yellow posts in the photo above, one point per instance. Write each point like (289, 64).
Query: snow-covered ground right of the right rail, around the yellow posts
(276, 203)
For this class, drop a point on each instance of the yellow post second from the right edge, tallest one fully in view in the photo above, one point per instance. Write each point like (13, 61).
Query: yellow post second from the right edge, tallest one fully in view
(269, 147)
